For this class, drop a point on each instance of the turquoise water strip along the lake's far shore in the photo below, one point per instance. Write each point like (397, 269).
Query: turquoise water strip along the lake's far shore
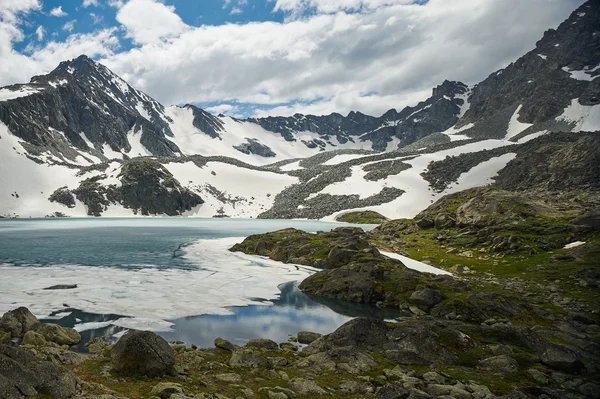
(123, 242)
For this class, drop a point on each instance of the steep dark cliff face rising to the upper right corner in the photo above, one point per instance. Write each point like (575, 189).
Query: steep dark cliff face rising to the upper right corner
(540, 80)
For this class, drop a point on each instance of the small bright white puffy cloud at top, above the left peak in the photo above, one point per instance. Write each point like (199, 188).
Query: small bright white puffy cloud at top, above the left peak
(148, 21)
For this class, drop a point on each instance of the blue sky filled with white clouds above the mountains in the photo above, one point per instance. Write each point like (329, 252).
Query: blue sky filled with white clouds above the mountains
(256, 58)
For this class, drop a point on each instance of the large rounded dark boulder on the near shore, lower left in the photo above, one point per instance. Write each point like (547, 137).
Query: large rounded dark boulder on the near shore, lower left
(144, 353)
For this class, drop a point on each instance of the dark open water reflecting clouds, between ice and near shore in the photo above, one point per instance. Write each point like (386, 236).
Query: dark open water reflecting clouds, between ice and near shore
(292, 312)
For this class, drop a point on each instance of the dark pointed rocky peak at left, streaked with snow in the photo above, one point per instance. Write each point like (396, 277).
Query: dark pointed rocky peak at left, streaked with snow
(82, 96)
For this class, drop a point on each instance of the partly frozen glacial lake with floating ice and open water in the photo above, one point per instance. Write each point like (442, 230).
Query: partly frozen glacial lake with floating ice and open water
(174, 276)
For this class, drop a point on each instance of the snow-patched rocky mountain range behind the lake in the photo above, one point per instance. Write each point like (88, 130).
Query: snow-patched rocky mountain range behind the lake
(81, 141)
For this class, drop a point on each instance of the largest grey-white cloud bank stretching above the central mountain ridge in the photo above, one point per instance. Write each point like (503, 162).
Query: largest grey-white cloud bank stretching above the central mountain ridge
(369, 61)
